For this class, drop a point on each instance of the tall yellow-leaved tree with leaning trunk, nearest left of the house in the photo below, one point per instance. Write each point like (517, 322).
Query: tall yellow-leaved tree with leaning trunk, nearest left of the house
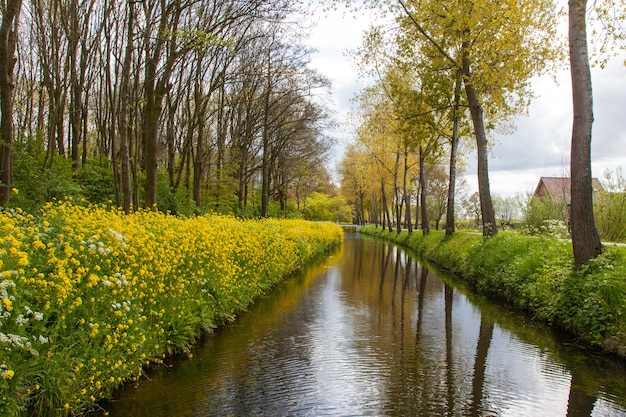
(495, 46)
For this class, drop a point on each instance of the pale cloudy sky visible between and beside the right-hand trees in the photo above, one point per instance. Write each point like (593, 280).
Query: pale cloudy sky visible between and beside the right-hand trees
(541, 143)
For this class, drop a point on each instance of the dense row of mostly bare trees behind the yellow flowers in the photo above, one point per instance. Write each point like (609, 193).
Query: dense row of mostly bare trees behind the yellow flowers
(160, 104)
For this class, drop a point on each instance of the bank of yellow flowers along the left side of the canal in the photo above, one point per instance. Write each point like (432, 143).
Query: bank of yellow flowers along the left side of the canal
(90, 296)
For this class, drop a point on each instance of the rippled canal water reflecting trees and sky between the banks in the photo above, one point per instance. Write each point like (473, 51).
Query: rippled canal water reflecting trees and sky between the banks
(371, 331)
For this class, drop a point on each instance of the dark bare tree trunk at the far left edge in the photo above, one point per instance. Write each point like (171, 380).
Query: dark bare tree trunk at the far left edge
(8, 40)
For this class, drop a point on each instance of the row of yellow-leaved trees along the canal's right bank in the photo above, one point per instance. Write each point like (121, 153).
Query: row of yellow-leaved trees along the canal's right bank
(449, 73)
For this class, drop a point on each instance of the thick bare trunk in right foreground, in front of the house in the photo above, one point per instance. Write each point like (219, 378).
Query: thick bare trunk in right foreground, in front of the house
(585, 240)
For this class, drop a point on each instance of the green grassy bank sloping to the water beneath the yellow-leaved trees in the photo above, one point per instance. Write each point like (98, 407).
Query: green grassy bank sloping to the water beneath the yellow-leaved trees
(536, 274)
